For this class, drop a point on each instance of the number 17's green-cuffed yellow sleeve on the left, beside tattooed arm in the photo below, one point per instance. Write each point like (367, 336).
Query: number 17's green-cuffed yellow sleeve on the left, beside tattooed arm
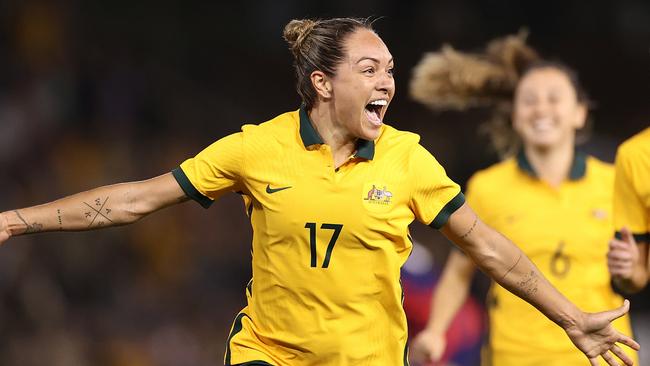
(214, 171)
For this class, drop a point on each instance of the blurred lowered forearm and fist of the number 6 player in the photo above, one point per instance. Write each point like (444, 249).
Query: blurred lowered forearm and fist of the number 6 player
(452, 290)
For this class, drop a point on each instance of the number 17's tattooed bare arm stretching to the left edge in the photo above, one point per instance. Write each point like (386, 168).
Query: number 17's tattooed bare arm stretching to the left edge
(112, 205)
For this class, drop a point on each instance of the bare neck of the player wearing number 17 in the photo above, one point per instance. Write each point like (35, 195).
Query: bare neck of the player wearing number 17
(342, 143)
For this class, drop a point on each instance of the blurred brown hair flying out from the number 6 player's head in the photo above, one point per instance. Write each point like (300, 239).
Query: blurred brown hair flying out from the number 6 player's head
(454, 80)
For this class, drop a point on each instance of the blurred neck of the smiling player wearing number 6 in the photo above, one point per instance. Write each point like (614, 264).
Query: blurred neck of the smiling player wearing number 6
(552, 165)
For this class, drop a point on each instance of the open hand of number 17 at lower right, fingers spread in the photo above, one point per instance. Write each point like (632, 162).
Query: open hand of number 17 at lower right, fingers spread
(595, 336)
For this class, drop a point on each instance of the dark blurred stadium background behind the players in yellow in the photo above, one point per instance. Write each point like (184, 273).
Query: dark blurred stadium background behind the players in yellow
(98, 92)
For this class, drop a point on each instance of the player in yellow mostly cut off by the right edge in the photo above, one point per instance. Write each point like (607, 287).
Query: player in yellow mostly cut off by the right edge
(628, 259)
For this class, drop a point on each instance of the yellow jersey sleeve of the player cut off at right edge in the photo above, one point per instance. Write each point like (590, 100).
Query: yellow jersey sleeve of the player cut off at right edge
(629, 210)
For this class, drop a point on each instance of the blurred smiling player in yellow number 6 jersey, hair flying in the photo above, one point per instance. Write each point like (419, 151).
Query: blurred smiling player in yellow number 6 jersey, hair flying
(552, 200)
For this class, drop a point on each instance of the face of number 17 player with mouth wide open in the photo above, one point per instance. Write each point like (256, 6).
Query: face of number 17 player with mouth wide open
(363, 85)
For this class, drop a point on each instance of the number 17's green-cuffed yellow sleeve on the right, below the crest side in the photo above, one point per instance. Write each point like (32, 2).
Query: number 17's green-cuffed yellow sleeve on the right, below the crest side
(434, 196)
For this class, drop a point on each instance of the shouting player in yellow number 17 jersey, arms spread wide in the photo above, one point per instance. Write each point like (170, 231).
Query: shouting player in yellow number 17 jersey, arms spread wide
(330, 191)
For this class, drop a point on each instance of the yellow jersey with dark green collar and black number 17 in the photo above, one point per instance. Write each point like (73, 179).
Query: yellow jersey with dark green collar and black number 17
(328, 244)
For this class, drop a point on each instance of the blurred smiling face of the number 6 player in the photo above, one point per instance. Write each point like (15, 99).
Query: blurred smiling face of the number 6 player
(546, 109)
